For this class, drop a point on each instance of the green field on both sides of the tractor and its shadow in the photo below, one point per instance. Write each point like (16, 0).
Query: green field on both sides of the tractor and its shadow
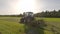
(11, 25)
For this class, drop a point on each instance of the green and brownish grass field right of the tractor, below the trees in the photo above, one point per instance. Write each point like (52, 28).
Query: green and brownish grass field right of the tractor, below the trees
(52, 23)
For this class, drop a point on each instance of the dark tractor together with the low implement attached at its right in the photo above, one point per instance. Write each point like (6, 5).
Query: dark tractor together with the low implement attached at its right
(29, 19)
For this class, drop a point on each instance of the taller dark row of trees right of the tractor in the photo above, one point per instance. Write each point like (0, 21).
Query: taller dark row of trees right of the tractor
(47, 13)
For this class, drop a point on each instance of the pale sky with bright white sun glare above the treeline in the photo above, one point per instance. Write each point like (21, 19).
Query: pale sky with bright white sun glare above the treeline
(8, 7)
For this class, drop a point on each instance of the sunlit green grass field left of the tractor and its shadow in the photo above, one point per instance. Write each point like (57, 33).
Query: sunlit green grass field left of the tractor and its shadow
(10, 25)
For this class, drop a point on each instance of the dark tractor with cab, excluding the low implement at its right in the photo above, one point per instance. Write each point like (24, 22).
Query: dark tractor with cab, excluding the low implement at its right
(27, 17)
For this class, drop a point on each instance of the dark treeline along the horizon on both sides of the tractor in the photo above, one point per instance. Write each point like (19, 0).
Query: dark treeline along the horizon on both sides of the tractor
(46, 13)
